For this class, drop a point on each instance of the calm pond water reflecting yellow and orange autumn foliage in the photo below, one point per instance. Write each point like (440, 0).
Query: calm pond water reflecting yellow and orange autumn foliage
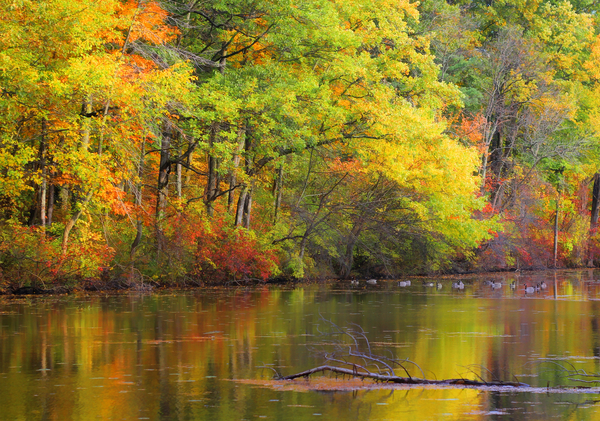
(177, 356)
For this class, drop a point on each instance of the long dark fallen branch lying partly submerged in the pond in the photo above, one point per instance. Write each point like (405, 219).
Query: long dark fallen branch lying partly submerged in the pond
(355, 372)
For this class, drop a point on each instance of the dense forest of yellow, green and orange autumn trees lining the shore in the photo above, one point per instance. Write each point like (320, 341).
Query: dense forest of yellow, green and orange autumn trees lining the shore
(193, 142)
